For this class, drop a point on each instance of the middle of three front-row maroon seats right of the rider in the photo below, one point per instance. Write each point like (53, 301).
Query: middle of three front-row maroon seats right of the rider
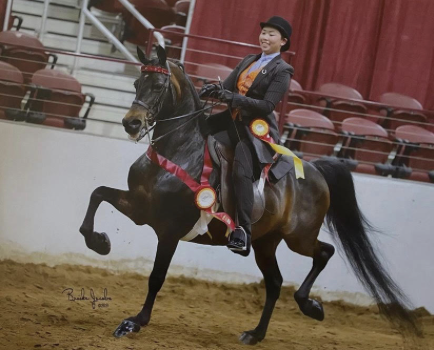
(366, 145)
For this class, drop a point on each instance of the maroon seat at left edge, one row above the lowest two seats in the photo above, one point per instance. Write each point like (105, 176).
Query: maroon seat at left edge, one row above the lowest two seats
(23, 57)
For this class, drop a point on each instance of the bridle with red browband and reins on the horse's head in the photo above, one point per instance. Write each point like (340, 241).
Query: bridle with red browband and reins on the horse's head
(158, 105)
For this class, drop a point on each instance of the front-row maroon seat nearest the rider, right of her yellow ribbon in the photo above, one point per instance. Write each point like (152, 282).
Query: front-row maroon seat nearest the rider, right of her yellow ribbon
(310, 134)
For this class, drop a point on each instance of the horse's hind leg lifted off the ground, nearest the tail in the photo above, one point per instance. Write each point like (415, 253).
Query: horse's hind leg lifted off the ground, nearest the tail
(321, 253)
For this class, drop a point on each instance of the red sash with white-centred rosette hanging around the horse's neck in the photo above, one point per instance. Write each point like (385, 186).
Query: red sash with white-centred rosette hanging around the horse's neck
(205, 196)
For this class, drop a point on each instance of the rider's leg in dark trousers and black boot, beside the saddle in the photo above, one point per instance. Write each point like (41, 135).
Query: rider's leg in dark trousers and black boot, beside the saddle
(242, 176)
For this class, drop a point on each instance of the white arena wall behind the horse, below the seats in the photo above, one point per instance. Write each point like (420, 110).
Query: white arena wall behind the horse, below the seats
(47, 176)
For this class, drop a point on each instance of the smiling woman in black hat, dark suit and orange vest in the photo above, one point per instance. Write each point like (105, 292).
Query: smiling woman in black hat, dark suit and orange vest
(252, 90)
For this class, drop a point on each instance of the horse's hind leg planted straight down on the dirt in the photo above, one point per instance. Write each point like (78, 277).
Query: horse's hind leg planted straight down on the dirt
(265, 255)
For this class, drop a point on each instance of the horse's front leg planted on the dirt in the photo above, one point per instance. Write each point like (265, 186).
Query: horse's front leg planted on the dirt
(165, 250)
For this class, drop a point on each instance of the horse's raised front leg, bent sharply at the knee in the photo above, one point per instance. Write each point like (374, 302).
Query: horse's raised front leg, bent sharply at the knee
(121, 200)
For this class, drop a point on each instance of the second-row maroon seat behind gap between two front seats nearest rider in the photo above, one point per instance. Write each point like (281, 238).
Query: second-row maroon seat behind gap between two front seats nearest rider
(340, 108)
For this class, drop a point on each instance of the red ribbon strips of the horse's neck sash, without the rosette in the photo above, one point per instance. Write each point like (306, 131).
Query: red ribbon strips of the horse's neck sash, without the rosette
(181, 174)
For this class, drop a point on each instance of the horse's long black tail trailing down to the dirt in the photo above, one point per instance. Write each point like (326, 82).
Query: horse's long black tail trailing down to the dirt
(345, 219)
